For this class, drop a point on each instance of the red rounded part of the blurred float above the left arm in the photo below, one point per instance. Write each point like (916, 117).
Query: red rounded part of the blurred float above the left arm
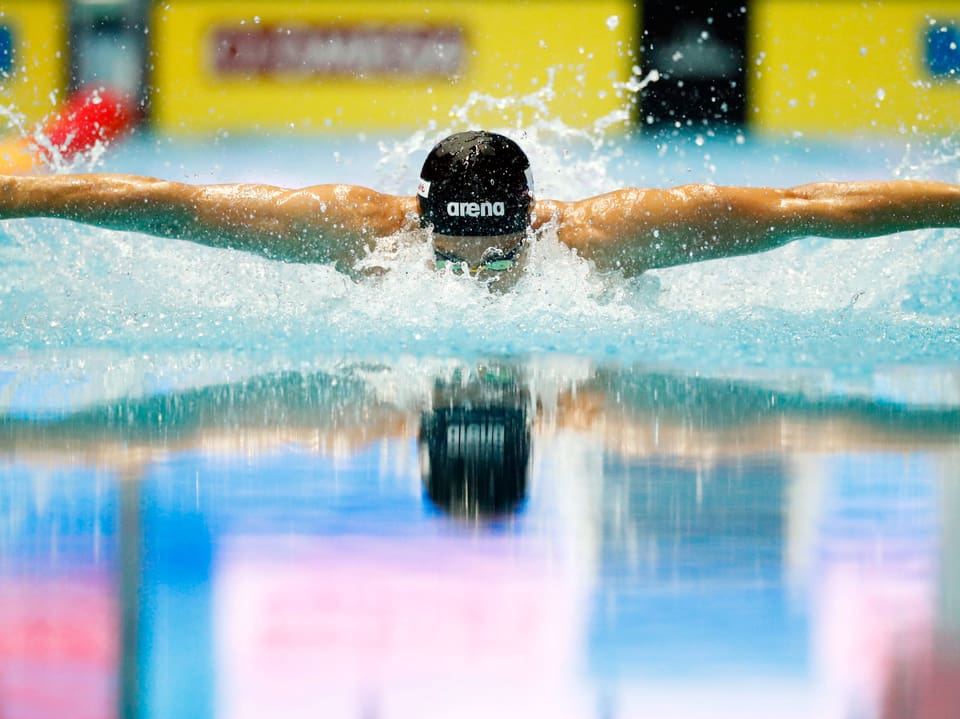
(91, 115)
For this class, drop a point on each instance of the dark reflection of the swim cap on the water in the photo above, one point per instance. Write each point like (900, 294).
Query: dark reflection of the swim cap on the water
(477, 458)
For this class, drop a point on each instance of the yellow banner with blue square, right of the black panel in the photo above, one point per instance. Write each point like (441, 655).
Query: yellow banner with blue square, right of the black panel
(854, 66)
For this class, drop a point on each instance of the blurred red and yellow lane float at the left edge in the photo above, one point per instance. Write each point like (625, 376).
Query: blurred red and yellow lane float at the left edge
(90, 116)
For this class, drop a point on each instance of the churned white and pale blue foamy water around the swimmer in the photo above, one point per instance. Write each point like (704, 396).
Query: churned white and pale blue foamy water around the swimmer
(88, 303)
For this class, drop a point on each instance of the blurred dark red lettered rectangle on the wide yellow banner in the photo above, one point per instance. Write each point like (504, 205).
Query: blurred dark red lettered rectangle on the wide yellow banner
(338, 50)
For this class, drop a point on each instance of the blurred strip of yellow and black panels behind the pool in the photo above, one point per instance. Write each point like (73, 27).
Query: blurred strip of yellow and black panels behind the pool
(775, 66)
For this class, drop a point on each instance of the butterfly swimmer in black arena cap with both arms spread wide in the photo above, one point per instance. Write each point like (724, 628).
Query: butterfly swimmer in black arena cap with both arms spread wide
(476, 196)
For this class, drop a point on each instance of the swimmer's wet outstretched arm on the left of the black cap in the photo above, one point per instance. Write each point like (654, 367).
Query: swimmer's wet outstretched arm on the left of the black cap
(324, 223)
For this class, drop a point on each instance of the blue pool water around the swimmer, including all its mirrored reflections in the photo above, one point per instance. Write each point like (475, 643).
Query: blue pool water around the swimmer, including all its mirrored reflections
(229, 485)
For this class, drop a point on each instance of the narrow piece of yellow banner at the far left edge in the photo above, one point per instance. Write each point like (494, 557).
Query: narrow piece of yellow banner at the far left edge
(33, 56)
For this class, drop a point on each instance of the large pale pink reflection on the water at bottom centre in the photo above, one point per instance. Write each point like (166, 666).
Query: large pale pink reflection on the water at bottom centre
(399, 627)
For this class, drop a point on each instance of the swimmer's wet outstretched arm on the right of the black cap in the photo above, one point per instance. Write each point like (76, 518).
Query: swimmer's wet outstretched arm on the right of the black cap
(637, 229)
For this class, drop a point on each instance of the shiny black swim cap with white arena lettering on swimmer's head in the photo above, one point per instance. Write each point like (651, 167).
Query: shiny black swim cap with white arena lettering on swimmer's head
(475, 183)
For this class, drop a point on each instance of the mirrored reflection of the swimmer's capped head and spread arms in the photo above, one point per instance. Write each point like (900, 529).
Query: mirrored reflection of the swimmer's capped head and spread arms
(629, 411)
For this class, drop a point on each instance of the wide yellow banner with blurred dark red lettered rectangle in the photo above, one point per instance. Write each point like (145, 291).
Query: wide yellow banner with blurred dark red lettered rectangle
(311, 66)
